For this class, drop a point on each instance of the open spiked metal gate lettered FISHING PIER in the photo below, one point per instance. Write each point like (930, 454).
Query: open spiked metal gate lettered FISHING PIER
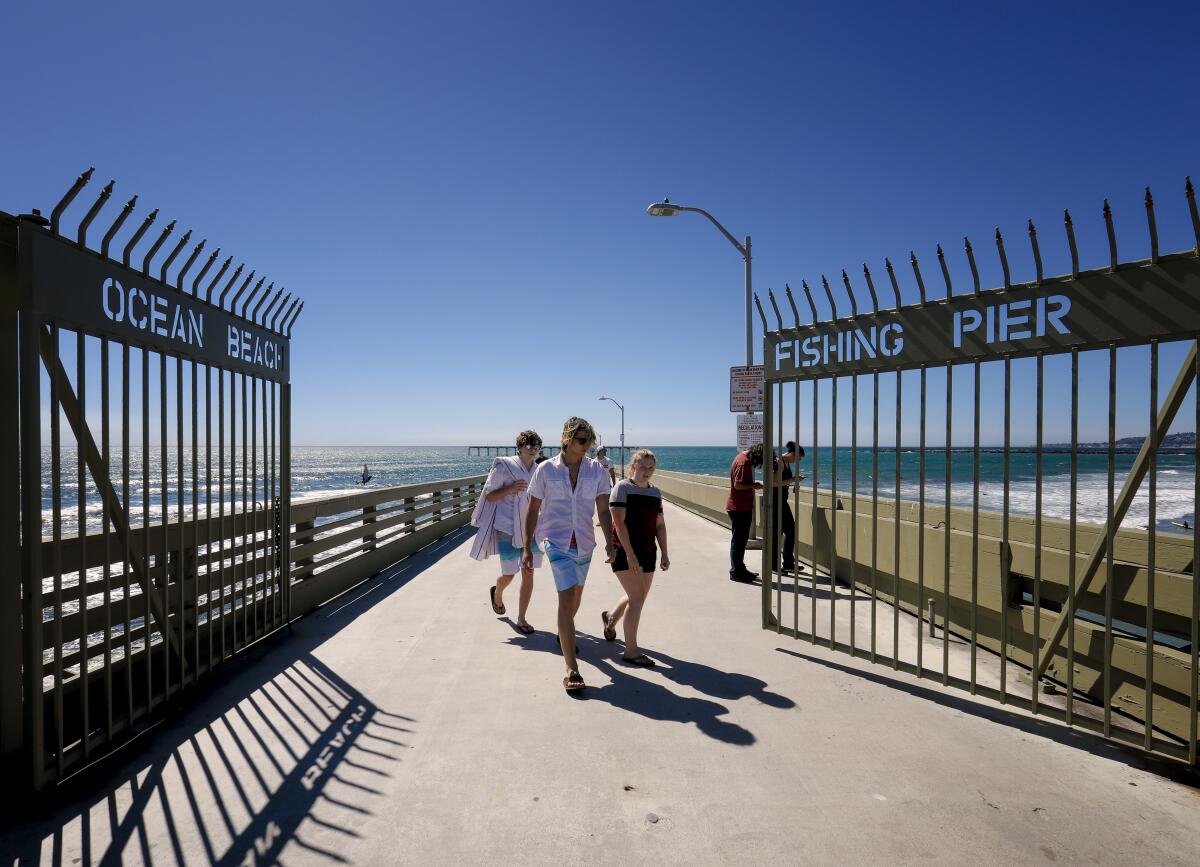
(929, 541)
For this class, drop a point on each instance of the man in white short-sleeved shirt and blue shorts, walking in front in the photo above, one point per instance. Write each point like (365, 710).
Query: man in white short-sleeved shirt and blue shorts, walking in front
(567, 493)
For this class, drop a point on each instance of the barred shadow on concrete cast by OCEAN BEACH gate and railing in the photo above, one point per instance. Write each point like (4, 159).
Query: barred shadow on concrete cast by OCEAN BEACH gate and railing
(245, 762)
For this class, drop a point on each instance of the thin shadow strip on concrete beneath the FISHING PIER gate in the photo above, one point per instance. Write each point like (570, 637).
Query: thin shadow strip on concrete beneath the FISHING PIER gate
(1049, 731)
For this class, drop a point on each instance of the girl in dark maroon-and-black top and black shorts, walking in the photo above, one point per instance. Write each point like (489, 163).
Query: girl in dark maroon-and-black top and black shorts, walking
(640, 533)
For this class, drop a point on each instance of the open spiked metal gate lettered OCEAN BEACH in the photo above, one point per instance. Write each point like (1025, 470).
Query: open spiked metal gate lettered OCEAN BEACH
(146, 479)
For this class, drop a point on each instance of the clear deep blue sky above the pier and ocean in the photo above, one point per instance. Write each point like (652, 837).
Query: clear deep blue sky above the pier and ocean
(459, 190)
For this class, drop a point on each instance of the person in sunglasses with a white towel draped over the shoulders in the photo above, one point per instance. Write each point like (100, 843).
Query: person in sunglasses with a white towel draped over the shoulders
(501, 518)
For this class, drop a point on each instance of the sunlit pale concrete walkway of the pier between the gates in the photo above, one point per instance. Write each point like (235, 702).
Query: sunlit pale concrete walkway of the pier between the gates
(405, 724)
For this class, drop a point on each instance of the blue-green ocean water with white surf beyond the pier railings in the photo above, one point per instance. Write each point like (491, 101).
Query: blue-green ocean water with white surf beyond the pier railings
(321, 471)
